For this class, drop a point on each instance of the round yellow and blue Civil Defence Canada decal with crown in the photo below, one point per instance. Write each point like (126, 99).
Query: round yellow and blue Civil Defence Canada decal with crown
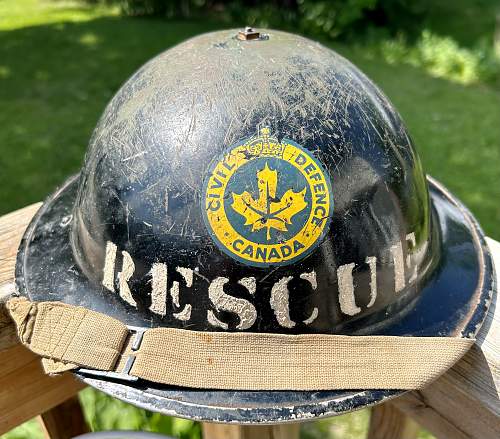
(267, 202)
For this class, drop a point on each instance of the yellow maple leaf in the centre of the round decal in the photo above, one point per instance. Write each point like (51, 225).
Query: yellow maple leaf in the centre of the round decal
(268, 211)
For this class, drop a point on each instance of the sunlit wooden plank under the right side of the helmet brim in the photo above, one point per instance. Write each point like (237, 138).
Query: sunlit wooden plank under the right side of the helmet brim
(465, 402)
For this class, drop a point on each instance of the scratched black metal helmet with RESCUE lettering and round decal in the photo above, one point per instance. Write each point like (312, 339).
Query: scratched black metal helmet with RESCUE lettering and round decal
(256, 182)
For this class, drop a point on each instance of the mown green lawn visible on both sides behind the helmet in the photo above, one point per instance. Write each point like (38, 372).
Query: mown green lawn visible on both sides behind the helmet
(61, 62)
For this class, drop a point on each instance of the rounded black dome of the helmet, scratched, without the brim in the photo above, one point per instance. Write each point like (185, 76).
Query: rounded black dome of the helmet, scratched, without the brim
(155, 154)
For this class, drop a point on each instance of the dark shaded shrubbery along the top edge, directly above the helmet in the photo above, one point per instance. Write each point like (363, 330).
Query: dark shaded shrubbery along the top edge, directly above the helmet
(324, 18)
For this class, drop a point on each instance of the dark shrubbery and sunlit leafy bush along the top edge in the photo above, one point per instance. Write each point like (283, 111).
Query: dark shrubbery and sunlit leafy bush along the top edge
(350, 20)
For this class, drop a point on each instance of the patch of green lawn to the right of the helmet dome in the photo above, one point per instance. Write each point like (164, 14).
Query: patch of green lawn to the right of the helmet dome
(456, 130)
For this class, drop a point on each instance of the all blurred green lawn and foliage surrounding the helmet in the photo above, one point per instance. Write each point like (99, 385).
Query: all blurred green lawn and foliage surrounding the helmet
(61, 61)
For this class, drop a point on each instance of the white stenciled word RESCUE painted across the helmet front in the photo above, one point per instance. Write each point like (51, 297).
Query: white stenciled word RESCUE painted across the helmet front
(405, 272)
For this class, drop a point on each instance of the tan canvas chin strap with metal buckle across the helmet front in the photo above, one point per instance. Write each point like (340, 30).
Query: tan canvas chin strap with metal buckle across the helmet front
(69, 337)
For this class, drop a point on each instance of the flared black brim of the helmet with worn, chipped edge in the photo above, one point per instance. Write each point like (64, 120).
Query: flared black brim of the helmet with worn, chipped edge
(453, 302)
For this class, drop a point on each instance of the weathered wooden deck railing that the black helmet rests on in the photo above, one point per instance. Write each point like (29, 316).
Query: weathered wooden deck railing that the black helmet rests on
(463, 403)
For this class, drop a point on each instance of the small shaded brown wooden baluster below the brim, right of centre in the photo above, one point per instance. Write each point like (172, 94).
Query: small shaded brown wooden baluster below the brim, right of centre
(388, 422)
